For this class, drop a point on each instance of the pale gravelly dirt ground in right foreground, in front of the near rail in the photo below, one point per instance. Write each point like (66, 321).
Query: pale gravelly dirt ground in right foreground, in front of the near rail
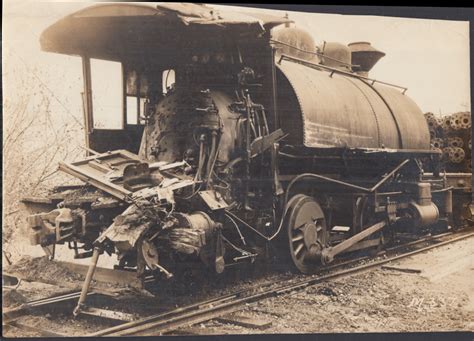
(440, 298)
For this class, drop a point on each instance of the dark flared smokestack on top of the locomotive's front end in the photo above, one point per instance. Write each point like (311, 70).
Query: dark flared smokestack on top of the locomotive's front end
(364, 57)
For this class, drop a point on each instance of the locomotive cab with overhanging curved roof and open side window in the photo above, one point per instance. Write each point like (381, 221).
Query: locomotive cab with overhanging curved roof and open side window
(140, 49)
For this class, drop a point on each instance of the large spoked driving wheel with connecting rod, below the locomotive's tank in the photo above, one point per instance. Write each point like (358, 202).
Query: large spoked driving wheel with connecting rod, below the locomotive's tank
(306, 233)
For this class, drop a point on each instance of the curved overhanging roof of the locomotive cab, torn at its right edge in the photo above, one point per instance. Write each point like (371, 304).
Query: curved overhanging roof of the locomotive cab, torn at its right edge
(114, 31)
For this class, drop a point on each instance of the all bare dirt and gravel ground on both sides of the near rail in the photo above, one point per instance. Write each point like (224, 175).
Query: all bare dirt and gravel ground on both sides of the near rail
(440, 298)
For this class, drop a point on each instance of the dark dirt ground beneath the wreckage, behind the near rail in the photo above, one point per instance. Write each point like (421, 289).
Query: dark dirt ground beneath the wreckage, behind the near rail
(163, 296)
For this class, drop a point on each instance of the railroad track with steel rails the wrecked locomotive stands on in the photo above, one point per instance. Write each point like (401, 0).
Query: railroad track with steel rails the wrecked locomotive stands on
(199, 312)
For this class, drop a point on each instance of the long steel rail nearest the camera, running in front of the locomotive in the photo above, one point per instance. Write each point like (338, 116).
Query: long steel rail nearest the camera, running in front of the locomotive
(158, 324)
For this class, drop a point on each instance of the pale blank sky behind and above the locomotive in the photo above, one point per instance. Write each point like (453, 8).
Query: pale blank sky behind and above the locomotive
(429, 57)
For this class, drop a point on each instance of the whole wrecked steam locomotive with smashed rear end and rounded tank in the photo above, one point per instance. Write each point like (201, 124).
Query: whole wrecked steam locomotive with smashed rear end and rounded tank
(238, 138)
